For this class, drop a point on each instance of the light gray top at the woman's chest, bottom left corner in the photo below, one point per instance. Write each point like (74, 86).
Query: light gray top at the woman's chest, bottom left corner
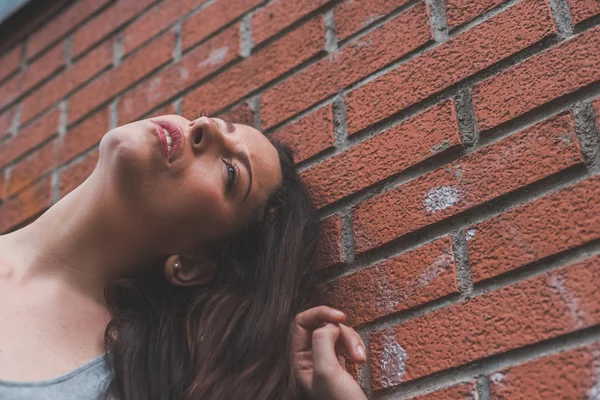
(86, 382)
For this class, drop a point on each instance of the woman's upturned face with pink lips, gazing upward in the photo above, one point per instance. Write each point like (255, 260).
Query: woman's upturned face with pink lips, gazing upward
(216, 177)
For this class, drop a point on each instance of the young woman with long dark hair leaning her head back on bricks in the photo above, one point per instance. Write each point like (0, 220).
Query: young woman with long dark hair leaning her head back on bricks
(181, 268)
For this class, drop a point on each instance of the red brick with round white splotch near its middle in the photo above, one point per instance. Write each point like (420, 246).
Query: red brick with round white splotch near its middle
(515, 162)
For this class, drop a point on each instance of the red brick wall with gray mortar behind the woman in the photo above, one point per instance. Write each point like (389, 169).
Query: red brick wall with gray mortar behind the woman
(451, 145)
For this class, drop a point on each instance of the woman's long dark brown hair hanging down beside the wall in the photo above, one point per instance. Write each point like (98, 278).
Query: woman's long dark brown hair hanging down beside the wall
(229, 339)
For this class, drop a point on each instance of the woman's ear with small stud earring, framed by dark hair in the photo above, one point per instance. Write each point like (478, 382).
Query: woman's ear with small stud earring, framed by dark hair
(183, 270)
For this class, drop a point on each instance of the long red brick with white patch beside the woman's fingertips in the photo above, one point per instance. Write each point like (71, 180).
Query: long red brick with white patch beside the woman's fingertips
(528, 312)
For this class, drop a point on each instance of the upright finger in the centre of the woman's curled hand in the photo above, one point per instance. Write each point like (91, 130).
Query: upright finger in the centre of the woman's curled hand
(325, 361)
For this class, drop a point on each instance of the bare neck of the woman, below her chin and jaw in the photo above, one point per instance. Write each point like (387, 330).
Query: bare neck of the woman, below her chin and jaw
(85, 240)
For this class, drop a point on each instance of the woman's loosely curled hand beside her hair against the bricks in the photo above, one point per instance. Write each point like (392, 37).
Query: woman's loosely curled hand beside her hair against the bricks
(319, 340)
